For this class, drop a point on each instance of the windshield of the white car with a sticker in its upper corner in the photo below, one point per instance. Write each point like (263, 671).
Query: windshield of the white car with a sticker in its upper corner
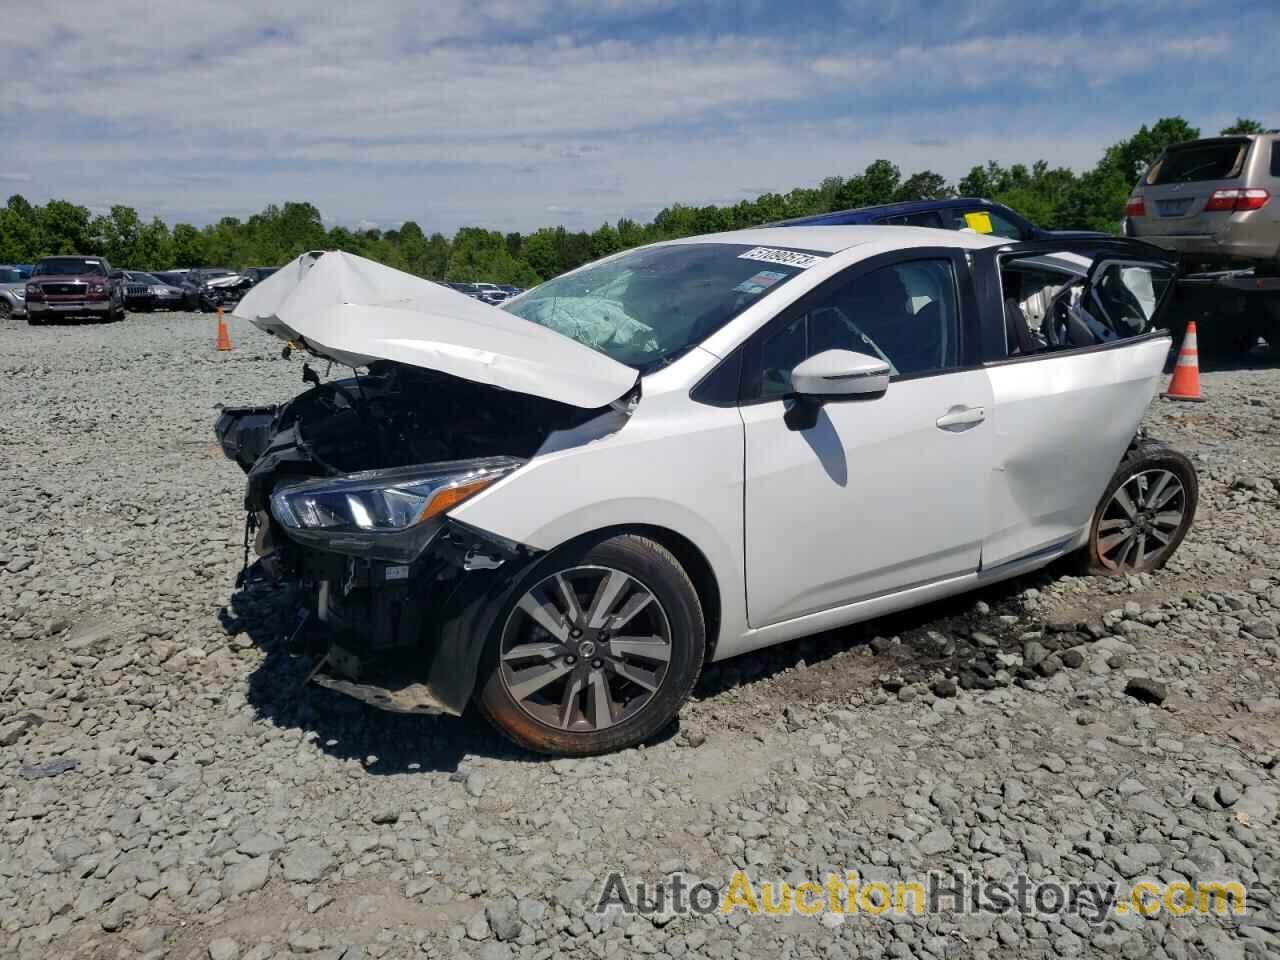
(648, 307)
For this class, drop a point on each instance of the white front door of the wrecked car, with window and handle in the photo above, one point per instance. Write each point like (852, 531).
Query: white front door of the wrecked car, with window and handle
(874, 495)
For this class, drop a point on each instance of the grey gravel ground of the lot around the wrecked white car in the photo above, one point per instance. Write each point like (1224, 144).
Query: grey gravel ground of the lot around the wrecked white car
(168, 788)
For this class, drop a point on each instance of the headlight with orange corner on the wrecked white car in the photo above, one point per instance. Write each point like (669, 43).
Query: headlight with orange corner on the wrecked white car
(388, 515)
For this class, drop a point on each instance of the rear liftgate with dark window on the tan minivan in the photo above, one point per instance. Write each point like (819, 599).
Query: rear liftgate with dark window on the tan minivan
(1178, 188)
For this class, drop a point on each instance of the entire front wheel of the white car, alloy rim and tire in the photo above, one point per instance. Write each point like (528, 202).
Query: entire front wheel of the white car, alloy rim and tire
(597, 651)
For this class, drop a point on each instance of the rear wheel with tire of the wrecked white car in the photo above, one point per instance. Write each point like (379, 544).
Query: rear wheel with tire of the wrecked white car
(1122, 542)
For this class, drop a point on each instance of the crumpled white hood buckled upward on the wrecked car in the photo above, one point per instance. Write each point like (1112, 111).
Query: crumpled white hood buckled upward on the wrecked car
(354, 312)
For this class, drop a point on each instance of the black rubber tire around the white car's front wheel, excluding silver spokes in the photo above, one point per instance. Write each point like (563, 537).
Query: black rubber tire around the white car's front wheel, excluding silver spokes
(648, 569)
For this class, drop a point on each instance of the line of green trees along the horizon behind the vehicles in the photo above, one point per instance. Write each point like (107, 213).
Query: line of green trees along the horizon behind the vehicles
(1055, 198)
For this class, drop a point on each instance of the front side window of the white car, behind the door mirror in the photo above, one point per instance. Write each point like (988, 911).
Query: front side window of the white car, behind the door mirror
(906, 314)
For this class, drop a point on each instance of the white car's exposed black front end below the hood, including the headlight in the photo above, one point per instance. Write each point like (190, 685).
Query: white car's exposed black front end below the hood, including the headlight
(374, 598)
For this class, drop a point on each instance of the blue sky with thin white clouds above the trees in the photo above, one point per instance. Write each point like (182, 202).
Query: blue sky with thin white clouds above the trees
(523, 113)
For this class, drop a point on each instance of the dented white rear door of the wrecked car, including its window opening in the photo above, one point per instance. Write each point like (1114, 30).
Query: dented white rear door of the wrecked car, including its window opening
(1063, 413)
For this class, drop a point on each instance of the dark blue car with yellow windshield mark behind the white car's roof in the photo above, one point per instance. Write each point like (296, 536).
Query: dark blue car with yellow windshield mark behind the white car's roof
(950, 214)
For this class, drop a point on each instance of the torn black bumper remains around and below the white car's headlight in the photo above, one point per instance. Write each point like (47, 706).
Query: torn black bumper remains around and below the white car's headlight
(401, 637)
